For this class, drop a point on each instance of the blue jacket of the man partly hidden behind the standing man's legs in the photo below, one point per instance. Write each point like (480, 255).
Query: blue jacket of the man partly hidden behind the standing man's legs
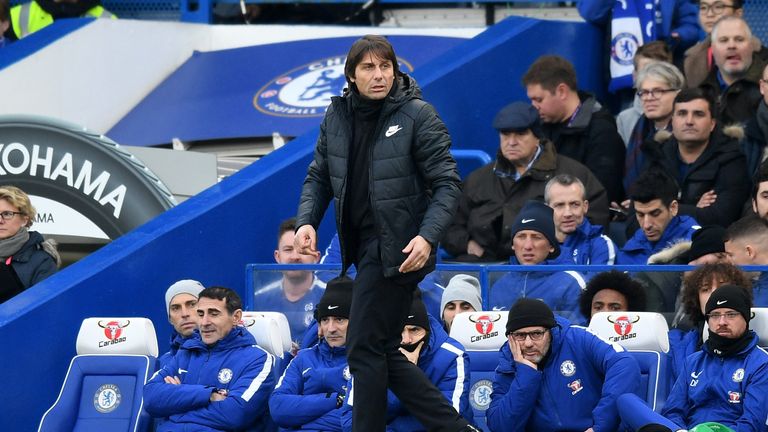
(446, 365)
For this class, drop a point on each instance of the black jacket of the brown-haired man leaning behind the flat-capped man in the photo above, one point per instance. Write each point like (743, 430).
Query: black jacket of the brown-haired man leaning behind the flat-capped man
(591, 138)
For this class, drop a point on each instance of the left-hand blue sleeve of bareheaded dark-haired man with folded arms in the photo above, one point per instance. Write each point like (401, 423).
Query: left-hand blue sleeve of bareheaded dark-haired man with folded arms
(163, 400)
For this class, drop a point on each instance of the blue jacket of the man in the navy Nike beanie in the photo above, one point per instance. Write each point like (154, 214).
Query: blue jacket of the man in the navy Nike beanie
(559, 290)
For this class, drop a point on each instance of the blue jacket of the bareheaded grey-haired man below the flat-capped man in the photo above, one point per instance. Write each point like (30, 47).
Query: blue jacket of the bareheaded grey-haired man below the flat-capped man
(588, 245)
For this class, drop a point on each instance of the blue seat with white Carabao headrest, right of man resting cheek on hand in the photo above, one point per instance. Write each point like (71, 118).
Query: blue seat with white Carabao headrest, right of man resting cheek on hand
(644, 336)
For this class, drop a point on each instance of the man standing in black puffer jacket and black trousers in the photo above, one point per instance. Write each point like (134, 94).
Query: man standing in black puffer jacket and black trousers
(383, 154)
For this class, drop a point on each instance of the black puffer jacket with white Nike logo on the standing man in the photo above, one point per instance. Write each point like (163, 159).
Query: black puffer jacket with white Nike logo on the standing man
(415, 186)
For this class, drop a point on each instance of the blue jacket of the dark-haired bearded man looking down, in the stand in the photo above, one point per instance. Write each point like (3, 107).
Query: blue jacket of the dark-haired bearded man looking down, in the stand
(637, 249)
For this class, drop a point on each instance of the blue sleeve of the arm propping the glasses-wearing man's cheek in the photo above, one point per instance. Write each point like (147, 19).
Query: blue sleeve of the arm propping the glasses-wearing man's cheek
(512, 400)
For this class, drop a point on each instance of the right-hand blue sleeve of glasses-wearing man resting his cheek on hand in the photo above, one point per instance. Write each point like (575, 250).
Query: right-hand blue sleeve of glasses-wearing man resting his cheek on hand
(622, 375)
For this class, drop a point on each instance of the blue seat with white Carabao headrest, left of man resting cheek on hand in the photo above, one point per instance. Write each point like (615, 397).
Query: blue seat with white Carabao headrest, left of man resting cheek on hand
(482, 334)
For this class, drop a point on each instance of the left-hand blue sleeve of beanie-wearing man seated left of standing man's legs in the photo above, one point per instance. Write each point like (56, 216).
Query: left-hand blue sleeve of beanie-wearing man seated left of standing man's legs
(290, 407)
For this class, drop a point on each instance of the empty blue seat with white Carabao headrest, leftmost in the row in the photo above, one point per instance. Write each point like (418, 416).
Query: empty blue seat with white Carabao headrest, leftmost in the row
(103, 388)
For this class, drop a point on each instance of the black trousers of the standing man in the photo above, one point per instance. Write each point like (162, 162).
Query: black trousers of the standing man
(377, 317)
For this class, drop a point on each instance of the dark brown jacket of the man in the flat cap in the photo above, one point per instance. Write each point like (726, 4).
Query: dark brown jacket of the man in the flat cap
(490, 203)
